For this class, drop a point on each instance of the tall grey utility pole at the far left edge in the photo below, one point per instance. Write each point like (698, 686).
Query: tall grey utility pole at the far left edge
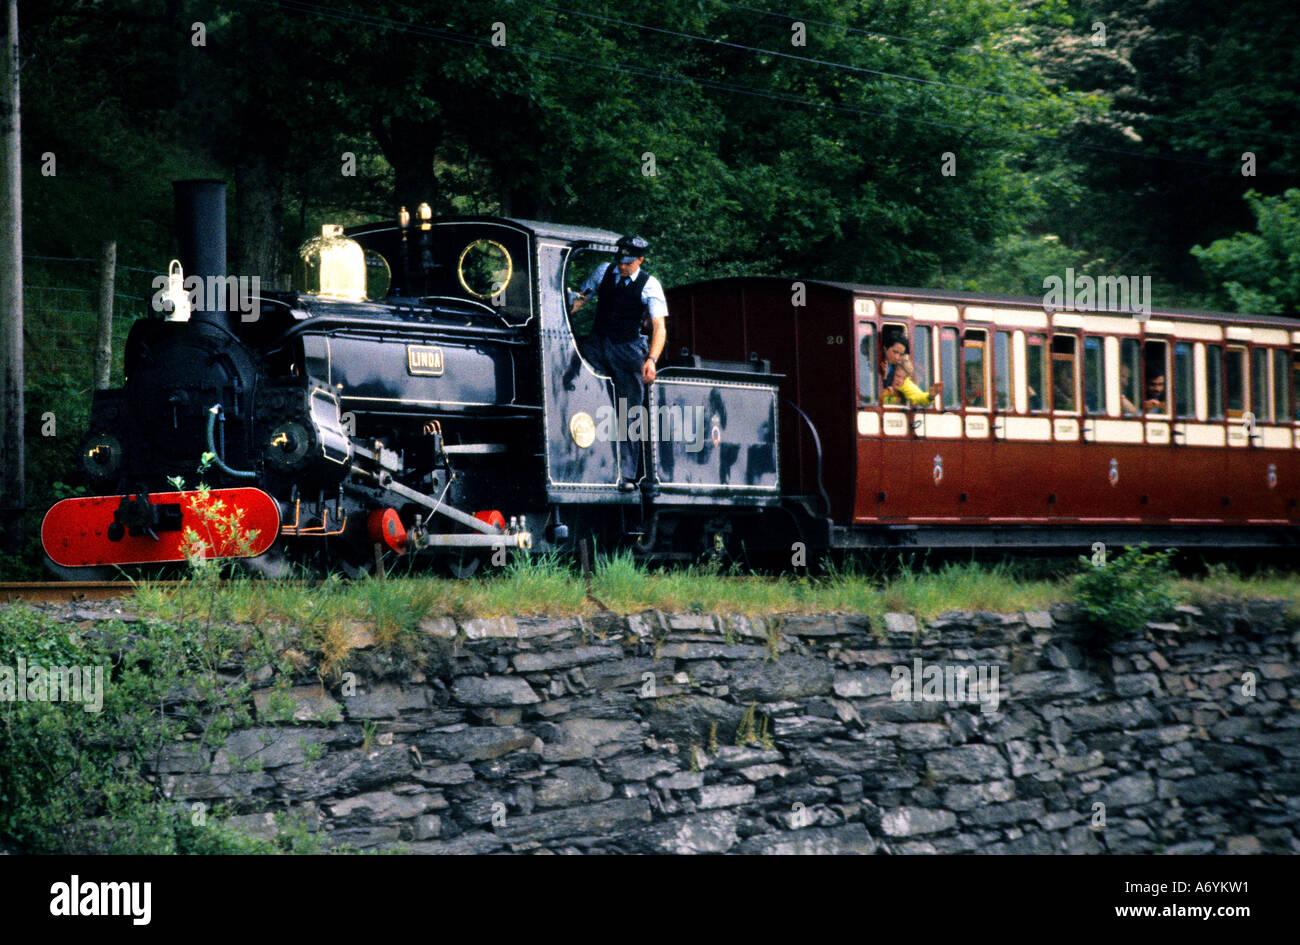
(14, 495)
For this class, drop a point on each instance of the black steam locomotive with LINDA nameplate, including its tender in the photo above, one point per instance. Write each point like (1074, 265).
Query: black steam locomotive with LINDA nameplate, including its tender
(424, 393)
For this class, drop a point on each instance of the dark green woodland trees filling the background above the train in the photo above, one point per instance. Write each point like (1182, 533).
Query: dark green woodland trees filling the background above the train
(885, 141)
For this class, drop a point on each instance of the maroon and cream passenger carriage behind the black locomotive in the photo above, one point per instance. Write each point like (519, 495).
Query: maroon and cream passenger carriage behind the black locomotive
(1041, 437)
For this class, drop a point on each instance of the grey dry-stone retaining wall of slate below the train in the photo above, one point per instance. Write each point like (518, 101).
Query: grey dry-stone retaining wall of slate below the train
(660, 734)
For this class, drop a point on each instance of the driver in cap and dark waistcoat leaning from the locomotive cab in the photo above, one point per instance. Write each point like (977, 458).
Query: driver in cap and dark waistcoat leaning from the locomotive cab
(626, 294)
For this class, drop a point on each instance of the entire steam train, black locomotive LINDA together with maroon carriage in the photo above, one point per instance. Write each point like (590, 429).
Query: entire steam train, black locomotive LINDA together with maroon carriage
(427, 393)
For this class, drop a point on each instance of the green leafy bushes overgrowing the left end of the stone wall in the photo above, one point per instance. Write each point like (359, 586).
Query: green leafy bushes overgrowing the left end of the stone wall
(73, 774)
